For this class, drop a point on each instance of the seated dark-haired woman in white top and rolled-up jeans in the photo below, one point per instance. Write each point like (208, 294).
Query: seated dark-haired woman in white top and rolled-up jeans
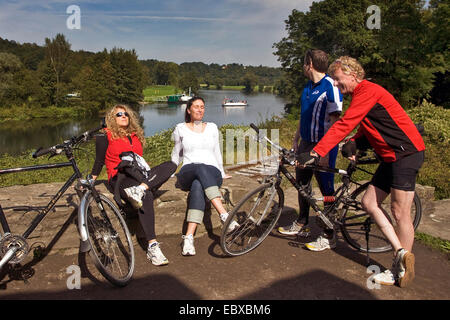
(197, 147)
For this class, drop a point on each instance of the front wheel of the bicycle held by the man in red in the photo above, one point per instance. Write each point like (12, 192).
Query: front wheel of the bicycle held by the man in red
(257, 213)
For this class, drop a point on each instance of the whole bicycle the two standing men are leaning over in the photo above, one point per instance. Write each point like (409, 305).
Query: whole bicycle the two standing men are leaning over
(259, 210)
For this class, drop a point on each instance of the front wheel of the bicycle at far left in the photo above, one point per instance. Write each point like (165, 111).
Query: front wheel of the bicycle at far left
(111, 245)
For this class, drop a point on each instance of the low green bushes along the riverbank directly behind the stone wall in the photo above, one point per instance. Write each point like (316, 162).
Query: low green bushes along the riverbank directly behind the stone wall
(434, 172)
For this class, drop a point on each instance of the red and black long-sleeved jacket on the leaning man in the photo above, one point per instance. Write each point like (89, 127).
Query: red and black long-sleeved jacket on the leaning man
(382, 121)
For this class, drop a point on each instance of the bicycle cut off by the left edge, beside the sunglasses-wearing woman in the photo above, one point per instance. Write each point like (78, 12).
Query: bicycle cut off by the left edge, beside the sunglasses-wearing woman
(102, 229)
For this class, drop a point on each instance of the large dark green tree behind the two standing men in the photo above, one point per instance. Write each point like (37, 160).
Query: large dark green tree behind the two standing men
(405, 55)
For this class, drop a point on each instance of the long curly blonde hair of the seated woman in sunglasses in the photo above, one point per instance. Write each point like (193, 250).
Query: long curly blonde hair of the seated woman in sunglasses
(133, 124)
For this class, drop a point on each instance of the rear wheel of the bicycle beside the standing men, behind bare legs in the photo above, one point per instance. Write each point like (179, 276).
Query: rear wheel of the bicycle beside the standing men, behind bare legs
(354, 217)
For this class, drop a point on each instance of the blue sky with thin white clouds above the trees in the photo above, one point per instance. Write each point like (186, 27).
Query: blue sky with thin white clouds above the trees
(209, 31)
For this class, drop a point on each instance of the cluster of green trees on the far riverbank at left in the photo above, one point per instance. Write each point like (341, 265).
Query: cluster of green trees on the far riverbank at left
(94, 80)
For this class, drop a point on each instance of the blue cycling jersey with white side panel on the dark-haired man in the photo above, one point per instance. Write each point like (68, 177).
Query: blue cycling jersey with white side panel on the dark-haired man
(318, 101)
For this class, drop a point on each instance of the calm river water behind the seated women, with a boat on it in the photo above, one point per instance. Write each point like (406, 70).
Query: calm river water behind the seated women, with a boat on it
(17, 137)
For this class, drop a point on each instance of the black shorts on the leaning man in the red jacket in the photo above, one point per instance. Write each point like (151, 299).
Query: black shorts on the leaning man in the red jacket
(400, 174)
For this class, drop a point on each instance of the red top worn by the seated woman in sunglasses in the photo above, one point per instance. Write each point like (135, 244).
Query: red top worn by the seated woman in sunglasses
(116, 147)
